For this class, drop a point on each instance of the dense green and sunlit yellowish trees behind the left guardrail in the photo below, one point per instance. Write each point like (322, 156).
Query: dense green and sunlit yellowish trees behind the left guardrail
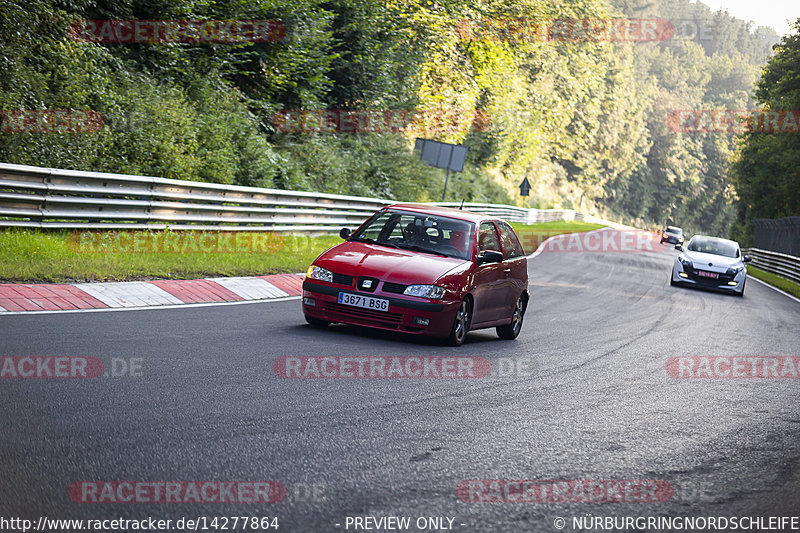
(584, 121)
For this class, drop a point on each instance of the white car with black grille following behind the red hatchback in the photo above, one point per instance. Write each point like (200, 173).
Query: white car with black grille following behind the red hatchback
(712, 263)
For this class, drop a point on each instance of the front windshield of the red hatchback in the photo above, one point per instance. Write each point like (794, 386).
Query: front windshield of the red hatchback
(418, 232)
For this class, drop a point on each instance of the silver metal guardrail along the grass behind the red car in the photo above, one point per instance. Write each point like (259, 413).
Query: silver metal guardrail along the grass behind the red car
(35, 197)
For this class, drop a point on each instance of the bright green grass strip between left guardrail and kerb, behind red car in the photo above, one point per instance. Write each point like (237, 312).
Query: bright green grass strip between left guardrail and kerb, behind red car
(60, 256)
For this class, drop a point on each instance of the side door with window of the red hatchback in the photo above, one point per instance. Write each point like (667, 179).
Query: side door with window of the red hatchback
(489, 277)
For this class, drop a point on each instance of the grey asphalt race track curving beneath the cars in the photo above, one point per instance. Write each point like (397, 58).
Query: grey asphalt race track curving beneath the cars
(595, 404)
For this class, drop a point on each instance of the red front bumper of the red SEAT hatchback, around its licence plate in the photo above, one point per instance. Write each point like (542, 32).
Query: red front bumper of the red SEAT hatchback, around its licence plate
(400, 316)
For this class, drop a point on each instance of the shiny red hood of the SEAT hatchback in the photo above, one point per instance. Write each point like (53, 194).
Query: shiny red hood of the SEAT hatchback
(389, 264)
